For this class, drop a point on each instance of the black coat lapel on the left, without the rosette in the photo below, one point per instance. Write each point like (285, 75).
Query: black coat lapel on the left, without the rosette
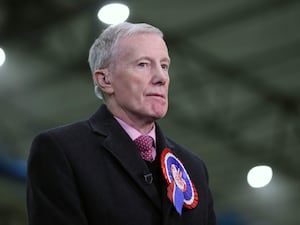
(124, 151)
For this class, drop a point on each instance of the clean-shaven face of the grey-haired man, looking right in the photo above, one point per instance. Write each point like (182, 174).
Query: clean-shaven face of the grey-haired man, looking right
(139, 78)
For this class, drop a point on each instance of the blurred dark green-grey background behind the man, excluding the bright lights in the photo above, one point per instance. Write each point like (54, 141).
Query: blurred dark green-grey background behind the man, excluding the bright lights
(234, 94)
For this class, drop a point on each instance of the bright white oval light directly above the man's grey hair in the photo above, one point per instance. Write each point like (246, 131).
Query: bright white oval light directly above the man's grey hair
(113, 13)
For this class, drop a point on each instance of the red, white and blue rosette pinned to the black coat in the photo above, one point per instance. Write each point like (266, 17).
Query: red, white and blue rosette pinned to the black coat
(181, 190)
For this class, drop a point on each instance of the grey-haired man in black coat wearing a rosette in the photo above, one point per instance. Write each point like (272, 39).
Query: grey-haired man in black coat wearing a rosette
(92, 172)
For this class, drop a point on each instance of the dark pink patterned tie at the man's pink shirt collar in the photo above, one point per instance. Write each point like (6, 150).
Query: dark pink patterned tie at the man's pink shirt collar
(145, 144)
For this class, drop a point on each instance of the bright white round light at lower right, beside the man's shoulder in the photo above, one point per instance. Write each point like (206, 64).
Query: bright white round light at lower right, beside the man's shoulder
(259, 176)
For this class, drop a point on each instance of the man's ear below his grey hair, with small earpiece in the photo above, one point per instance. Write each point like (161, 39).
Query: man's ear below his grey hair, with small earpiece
(102, 80)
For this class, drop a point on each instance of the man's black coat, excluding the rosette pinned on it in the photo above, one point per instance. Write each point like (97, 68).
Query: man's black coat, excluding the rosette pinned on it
(90, 173)
